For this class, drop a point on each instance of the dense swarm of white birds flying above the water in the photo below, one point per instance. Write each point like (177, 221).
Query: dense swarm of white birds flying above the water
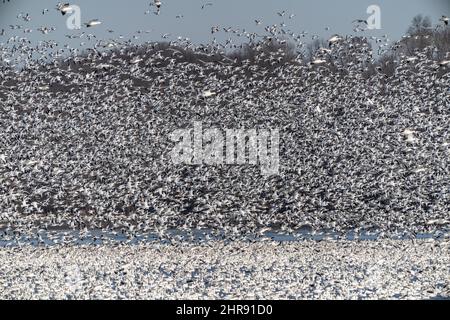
(85, 136)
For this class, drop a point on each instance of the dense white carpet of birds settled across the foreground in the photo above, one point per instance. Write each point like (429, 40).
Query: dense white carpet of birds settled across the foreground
(266, 270)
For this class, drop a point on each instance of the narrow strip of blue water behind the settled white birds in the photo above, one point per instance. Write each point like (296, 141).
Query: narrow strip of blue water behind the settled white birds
(99, 237)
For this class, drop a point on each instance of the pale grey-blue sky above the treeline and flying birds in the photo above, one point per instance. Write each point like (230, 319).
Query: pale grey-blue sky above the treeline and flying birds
(127, 17)
